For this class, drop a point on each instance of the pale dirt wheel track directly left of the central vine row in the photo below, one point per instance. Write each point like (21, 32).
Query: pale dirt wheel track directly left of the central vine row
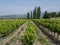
(19, 36)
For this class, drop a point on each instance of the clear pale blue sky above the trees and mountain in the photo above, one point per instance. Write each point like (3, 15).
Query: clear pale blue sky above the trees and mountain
(8, 7)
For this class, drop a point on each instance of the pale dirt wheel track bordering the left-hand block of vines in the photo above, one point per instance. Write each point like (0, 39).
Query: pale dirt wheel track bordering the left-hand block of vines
(7, 39)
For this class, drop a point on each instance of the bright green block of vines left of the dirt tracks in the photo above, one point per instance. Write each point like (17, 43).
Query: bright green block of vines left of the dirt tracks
(8, 26)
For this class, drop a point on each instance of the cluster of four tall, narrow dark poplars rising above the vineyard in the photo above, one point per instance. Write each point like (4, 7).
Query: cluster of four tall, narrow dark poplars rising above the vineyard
(35, 14)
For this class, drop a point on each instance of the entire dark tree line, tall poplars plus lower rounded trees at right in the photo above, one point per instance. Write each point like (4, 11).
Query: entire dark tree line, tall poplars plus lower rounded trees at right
(36, 14)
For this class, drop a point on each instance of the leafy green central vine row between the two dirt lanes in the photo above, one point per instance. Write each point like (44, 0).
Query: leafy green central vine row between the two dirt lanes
(29, 35)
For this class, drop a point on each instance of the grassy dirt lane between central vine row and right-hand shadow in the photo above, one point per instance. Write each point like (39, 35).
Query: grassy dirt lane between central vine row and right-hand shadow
(44, 40)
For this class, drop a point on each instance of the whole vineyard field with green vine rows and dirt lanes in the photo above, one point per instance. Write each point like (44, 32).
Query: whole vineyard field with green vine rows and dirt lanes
(29, 32)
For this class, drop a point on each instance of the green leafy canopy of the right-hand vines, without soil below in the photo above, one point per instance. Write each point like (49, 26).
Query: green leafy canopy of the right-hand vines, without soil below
(53, 25)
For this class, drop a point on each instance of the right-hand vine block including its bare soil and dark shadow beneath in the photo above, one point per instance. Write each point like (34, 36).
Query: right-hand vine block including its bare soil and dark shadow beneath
(52, 27)
